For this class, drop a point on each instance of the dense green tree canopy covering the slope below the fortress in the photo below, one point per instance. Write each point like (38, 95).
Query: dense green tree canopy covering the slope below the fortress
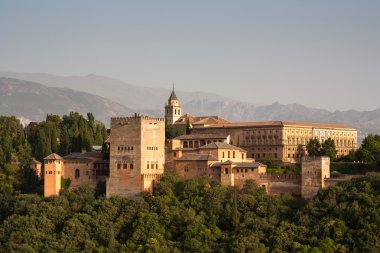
(195, 216)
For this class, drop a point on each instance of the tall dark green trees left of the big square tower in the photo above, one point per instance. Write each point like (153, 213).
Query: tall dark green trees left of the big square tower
(18, 145)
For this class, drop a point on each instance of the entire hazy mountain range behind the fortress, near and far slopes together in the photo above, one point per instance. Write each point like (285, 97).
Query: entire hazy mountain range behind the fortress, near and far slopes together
(107, 97)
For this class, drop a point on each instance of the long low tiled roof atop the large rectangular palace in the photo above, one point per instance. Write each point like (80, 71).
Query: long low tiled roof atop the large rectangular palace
(279, 124)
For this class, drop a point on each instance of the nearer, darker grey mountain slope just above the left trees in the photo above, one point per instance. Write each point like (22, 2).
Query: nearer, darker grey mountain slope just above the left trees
(32, 101)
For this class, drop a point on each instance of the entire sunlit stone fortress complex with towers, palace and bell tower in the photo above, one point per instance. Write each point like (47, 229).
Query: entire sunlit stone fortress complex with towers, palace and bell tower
(225, 152)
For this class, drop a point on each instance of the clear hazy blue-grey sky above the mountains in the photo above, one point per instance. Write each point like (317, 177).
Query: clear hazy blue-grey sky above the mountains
(324, 54)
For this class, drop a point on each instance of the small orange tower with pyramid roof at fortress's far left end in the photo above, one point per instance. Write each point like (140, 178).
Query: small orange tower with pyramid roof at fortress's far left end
(52, 174)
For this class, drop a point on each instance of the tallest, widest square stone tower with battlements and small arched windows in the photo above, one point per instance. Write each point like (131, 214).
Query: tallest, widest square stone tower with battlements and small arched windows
(137, 155)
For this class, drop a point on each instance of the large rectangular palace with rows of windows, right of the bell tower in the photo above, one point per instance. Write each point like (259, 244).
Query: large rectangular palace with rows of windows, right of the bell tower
(283, 141)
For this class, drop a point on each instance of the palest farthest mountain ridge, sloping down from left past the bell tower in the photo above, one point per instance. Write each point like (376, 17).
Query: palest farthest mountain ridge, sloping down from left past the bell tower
(143, 99)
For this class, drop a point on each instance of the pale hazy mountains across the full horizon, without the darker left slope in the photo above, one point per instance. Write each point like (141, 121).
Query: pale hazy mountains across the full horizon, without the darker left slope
(151, 101)
